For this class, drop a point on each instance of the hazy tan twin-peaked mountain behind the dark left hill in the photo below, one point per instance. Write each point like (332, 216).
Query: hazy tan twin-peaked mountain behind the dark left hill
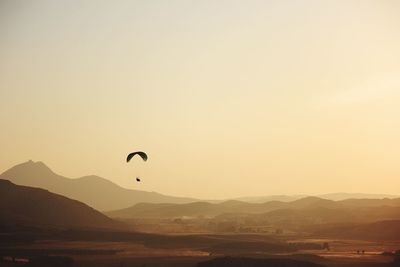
(88, 189)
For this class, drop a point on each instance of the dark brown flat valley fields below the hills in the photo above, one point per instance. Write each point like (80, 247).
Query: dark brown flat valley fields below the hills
(187, 250)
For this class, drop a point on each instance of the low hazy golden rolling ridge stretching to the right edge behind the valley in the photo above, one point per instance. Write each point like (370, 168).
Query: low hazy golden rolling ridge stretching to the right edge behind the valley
(210, 210)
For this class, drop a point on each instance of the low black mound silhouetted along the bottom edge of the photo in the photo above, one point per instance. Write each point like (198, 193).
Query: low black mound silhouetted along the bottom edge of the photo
(255, 262)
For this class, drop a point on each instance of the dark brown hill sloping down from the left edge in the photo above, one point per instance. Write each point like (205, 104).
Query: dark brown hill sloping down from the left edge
(22, 205)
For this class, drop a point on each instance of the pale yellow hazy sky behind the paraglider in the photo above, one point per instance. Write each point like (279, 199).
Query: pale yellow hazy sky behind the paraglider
(228, 98)
